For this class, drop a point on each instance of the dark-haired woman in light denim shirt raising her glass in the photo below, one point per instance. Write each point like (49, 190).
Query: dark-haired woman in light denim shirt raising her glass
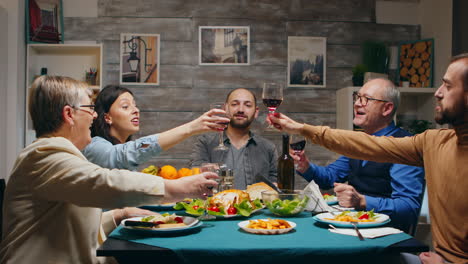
(119, 118)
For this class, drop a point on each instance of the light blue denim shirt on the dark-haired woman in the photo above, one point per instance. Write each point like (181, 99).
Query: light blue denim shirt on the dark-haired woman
(128, 155)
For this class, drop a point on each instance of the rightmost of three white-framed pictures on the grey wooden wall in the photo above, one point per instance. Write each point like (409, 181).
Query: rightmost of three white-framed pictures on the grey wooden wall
(307, 61)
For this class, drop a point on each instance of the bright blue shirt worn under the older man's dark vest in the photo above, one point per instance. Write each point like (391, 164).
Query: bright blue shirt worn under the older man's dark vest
(407, 184)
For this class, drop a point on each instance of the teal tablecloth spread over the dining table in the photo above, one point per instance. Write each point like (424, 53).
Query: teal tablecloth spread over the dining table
(224, 241)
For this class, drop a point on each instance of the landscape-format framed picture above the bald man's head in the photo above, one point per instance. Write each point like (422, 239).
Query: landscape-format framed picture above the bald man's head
(224, 45)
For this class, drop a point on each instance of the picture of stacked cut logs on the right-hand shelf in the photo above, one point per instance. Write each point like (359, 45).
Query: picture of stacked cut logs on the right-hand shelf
(416, 63)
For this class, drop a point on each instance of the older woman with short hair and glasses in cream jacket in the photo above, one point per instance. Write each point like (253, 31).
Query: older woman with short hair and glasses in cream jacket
(53, 199)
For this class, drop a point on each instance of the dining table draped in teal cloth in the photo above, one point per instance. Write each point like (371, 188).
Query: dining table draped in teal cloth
(223, 241)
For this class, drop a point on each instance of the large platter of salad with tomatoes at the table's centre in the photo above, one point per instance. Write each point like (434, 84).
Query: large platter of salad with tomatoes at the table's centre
(243, 209)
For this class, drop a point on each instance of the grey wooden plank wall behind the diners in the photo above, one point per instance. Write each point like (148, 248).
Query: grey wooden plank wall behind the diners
(186, 88)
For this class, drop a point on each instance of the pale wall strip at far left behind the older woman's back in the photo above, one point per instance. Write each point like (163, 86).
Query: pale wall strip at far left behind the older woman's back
(13, 121)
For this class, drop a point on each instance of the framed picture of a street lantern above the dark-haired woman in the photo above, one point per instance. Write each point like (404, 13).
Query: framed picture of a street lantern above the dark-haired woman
(139, 58)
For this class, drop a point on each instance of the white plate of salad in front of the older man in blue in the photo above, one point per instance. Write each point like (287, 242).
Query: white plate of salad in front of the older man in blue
(344, 219)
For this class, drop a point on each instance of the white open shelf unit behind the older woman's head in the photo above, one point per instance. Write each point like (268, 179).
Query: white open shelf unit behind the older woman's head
(72, 60)
